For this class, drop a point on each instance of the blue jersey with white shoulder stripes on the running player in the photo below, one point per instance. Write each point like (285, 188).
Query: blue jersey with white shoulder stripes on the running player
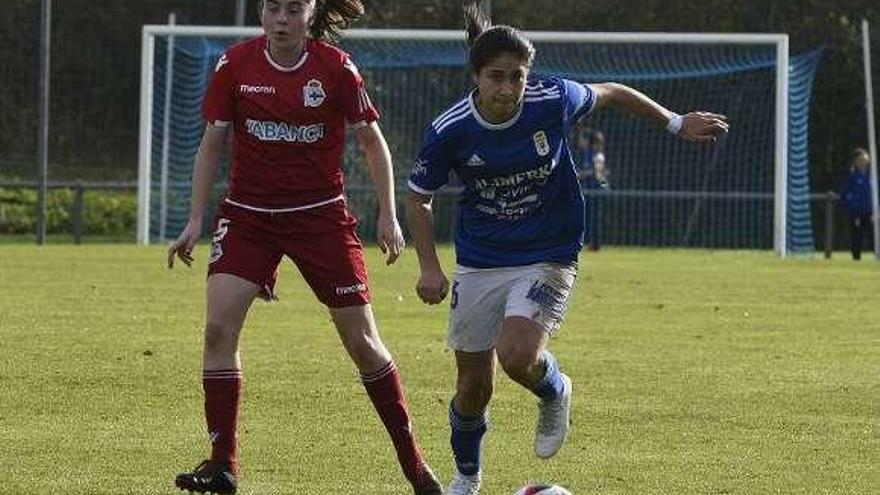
(522, 203)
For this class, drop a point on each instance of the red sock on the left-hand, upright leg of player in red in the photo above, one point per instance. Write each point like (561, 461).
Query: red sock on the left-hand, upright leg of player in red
(222, 396)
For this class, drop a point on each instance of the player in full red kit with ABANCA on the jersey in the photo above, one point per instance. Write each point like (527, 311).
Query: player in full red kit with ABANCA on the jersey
(288, 95)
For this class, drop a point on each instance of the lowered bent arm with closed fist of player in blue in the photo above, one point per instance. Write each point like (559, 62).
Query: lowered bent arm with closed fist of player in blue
(433, 284)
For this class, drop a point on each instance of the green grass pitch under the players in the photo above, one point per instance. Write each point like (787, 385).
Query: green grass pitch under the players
(695, 372)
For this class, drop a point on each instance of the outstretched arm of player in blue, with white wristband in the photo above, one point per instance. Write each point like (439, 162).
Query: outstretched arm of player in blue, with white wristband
(693, 126)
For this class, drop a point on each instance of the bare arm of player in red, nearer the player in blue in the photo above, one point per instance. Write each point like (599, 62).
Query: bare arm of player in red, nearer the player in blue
(378, 158)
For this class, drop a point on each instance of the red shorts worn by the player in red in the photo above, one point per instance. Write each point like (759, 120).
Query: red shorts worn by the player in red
(321, 241)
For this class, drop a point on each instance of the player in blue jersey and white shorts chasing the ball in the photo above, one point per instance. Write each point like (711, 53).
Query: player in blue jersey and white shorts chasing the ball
(520, 227)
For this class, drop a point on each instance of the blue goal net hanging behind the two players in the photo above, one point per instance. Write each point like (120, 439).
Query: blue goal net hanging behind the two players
(665, 192)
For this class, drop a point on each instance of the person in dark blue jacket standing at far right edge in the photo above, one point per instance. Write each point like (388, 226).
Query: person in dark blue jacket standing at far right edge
(855, 194)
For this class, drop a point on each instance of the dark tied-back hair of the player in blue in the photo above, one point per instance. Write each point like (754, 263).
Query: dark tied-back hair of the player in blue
(486, 42)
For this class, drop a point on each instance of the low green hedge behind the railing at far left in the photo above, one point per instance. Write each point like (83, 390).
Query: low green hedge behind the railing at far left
(103, 212)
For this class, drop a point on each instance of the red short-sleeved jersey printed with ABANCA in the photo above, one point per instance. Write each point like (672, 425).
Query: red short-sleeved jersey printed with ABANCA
(288, 122)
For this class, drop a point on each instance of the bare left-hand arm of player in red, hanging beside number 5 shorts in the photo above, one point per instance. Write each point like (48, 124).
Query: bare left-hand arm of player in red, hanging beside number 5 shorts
(204, 172)
